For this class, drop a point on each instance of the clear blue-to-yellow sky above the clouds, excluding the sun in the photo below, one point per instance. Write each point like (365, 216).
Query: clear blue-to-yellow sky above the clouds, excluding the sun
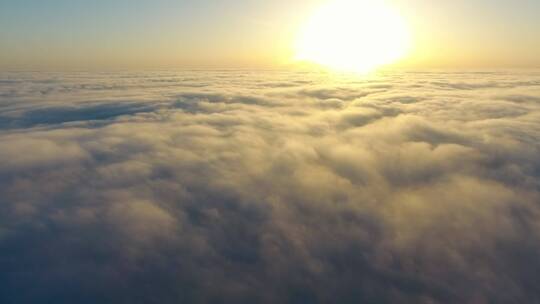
(86, 34)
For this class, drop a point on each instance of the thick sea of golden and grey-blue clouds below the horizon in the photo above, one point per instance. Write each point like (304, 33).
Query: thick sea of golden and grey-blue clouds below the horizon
(270, 187)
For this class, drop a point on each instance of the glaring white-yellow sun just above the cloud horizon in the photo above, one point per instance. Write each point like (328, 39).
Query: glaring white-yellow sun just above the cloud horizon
(353, 35)
